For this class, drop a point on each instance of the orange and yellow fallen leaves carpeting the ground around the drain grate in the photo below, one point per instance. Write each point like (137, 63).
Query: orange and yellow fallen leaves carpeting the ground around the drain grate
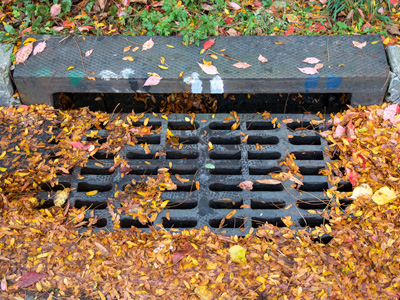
(43, 252)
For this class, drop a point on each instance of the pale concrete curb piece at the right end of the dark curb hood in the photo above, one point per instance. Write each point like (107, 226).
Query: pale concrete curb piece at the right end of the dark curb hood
(393, 93)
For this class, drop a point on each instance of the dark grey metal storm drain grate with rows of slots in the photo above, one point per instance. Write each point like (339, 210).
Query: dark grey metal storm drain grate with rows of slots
(234, 160)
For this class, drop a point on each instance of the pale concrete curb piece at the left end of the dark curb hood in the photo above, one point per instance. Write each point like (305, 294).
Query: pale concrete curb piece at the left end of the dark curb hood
(6, 88)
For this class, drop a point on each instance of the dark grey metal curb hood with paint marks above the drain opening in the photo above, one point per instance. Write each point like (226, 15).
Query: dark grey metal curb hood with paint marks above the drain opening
(363, 73)
